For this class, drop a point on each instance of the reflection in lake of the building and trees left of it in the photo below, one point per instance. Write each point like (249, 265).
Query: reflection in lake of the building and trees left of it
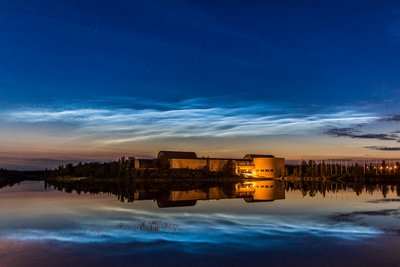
(177, 194)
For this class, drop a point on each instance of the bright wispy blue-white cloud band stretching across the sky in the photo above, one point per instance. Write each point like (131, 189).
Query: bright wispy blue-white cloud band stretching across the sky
(190, 118)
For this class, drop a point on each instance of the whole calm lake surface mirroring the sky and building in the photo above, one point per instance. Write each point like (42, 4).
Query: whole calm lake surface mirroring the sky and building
(199, 224)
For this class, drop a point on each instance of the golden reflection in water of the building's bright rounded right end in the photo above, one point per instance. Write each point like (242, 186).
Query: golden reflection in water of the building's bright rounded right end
(261, 190)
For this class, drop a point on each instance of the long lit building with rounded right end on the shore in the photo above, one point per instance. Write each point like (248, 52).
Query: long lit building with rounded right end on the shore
(257, 166)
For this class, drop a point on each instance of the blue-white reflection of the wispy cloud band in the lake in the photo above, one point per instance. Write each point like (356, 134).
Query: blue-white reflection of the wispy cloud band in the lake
(191, 228)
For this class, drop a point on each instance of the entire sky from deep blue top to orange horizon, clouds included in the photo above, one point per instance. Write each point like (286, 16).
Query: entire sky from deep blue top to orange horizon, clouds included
(95, 80)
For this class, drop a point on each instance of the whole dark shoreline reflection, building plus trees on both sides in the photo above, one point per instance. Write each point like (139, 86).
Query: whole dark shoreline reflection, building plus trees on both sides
(187, 193)
